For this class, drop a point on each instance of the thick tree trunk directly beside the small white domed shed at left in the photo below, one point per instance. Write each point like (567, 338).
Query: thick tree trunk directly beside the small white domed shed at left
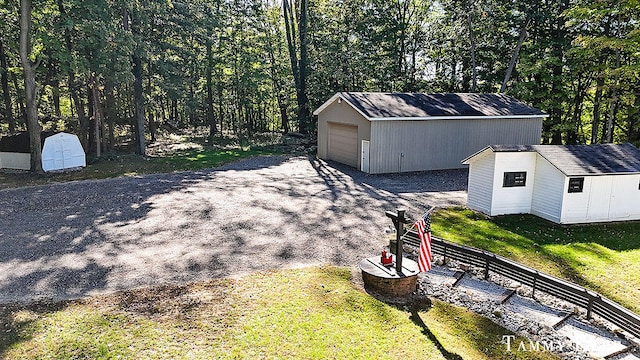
(30, 87)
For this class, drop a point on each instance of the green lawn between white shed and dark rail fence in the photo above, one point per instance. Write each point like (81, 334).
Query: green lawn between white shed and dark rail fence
(601, 257)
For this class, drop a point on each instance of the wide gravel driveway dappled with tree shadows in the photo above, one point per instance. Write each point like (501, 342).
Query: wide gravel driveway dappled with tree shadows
(83, 238)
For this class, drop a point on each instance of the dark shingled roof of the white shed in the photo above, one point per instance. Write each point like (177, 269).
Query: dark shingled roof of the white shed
(581, 160)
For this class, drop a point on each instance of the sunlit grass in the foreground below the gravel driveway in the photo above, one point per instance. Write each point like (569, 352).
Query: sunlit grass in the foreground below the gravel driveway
(300, 314)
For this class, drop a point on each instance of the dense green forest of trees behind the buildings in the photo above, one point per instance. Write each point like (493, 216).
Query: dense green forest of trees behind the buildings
(108, 69)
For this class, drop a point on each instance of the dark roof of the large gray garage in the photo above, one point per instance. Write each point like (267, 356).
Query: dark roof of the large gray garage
(412, 105)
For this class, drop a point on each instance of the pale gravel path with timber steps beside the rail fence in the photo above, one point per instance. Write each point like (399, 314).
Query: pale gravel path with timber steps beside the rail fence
(576, 338)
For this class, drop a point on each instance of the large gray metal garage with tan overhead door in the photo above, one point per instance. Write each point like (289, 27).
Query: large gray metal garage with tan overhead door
(399, 132)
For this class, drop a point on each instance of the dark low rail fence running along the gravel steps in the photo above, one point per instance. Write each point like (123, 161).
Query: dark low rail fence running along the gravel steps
(593, 302)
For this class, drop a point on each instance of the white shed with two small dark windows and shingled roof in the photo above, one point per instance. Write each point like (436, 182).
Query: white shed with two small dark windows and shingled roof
(564, 184)
